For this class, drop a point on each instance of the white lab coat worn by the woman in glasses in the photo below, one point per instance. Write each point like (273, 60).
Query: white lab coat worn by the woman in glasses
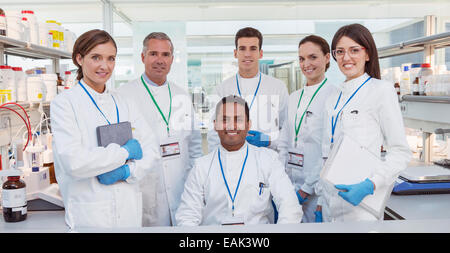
(372, 118)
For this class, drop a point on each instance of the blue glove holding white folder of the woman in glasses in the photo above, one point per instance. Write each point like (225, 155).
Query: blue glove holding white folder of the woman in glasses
(355, 193)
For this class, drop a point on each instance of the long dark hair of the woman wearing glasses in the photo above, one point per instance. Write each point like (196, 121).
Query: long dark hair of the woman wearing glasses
(361, 35)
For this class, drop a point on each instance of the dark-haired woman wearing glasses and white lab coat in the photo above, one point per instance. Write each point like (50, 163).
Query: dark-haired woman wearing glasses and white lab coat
(367, 110)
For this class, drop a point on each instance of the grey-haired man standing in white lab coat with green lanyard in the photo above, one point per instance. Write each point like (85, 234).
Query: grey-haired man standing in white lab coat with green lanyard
(169, 111)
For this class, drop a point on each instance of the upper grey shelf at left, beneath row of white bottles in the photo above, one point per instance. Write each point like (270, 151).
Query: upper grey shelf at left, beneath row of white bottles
(26, 49)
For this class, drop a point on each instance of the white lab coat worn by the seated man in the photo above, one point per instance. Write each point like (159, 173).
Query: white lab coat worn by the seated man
(205, 200)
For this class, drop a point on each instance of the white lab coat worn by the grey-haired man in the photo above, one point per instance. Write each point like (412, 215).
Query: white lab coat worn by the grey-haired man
(163, 187)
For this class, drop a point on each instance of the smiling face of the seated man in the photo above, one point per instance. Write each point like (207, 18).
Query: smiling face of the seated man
(232, 126)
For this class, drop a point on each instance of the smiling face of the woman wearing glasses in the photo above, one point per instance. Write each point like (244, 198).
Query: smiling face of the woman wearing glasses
(352, 63)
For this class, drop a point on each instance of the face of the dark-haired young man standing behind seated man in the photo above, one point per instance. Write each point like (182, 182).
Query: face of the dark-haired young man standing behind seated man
(248, 54)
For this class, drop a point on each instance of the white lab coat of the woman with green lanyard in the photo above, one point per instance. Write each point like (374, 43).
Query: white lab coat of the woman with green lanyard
(309, 141)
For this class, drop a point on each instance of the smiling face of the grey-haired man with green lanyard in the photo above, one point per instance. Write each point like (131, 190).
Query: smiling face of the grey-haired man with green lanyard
(157, 59)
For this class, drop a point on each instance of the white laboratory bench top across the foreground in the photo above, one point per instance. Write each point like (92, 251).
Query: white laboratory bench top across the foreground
(53, 222)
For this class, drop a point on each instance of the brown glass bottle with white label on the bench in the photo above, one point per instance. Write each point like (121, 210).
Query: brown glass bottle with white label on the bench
(14, 200)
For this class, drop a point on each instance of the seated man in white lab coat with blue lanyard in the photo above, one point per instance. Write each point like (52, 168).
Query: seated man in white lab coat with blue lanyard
(235, 183)
